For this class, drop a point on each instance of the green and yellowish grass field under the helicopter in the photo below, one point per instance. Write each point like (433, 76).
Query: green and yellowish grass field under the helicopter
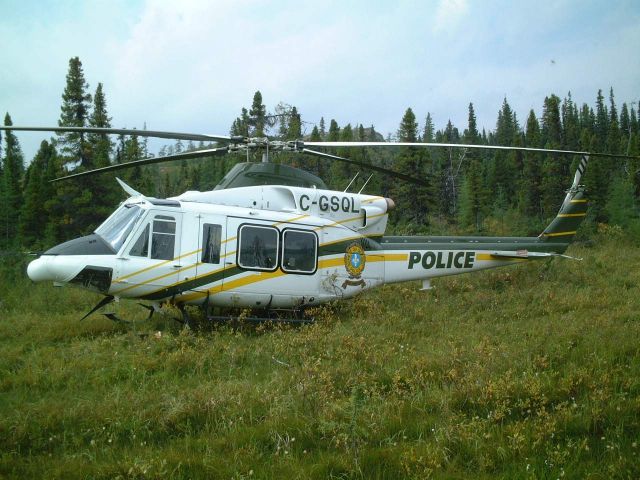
(531, 371)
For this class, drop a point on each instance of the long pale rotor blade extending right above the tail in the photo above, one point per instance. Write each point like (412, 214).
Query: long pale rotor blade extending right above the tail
(461, 145)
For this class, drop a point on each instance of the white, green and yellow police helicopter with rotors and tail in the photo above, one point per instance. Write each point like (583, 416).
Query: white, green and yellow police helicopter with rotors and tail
(272, 238)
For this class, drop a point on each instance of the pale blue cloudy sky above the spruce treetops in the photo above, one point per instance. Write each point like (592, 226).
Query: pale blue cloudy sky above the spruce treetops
(191, 66)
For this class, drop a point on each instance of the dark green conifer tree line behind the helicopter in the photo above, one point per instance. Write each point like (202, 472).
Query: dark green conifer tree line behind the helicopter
(467, 191)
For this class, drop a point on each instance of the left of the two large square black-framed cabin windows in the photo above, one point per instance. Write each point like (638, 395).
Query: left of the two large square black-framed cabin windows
(258, 247)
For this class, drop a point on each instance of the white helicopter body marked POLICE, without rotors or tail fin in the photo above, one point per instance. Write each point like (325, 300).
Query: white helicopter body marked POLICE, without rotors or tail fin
(264, 247)
